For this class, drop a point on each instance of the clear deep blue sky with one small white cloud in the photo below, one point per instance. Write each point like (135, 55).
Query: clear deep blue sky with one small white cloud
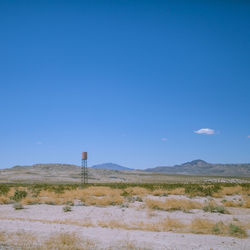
(138, 83)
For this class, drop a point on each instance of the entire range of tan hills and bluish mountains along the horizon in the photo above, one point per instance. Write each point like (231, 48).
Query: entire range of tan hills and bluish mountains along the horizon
(110, 172)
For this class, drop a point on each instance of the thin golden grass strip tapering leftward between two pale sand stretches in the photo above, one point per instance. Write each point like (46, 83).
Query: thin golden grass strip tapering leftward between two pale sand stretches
(197, 226)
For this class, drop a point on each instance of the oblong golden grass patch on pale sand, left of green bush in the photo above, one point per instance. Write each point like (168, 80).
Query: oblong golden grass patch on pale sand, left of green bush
(173, 204)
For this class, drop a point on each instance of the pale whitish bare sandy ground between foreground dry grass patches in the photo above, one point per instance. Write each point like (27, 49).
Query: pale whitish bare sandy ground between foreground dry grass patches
(44, 220)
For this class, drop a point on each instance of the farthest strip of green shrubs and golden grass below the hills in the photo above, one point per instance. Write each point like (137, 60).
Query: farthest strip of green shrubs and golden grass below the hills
(125, 189)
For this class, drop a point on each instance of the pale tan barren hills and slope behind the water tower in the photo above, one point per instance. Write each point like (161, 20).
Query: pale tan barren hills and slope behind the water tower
(65, 173)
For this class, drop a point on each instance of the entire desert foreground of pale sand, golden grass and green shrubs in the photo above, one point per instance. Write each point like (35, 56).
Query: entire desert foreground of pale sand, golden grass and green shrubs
(125, 216)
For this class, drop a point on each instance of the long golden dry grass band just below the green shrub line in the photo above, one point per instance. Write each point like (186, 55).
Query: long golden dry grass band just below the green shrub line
(90, 194)
